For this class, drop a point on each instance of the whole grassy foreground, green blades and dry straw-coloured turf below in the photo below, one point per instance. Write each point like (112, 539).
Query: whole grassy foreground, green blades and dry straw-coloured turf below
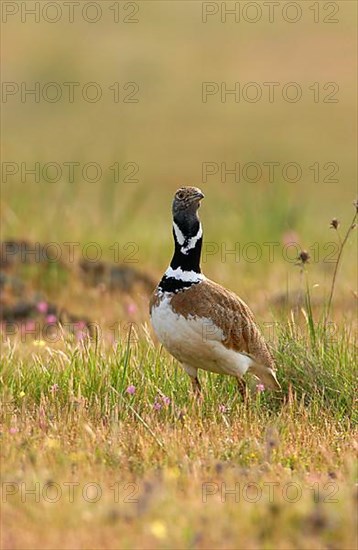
(67, 418)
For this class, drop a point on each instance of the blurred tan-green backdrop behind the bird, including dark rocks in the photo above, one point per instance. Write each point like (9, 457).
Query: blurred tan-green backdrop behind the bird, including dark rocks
(155, 128)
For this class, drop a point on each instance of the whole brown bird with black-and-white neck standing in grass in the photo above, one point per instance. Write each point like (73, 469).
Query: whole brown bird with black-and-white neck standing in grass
(202, 324)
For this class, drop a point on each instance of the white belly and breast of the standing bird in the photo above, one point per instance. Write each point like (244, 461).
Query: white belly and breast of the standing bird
(196, 341)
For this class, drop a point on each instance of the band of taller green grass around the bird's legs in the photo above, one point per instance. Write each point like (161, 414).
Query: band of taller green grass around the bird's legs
(320, 370)
